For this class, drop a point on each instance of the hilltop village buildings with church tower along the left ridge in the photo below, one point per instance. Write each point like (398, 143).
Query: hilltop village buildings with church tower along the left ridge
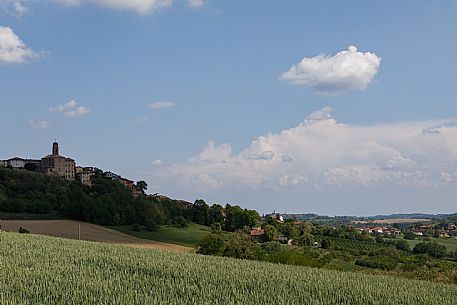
(56, 165)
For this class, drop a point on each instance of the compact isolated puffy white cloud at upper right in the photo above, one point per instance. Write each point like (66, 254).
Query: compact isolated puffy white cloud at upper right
(330, 75)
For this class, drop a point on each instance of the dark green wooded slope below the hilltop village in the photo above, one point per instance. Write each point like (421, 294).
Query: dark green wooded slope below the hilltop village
(108, 202)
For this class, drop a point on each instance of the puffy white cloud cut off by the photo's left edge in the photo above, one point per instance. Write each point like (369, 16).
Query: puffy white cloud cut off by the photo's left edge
(13, 50)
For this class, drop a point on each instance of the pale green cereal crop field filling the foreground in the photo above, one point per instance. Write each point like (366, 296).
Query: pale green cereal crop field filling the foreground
(47, 270)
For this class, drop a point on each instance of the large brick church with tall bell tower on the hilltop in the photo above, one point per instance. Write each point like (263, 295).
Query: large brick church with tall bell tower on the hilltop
(55, 164)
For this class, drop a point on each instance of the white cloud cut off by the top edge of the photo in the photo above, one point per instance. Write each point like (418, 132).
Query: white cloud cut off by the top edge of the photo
(140, 6)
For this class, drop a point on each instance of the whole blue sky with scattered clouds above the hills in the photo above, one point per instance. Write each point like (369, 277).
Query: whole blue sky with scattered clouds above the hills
(328, 107)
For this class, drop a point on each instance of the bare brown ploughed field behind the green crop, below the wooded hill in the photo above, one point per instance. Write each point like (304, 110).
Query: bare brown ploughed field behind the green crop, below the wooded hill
(90, 232)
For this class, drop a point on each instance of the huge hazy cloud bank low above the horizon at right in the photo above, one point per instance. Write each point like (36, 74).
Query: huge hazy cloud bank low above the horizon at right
(324, 152)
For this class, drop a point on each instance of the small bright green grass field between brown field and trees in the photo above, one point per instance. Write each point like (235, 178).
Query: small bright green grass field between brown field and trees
(189, 236)
